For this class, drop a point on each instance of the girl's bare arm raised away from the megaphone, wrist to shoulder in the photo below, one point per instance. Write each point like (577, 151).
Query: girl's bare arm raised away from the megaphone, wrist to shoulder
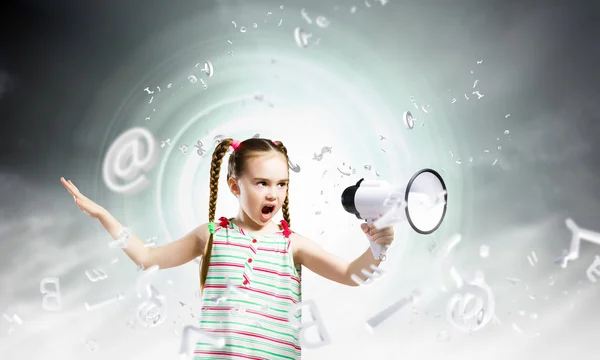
(176, 253)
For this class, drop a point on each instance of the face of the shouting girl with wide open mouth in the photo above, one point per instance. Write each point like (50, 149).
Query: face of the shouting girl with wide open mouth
(262, 188)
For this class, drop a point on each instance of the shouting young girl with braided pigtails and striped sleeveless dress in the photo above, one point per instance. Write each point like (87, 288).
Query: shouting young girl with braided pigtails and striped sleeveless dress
(248, 253)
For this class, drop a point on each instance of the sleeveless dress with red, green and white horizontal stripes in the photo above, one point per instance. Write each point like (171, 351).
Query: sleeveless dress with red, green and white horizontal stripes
(252, 316)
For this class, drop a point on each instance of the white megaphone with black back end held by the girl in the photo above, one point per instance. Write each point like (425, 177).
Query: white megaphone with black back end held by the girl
(422, 202)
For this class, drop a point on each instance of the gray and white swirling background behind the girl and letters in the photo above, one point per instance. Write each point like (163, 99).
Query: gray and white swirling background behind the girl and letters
(349, 87)
